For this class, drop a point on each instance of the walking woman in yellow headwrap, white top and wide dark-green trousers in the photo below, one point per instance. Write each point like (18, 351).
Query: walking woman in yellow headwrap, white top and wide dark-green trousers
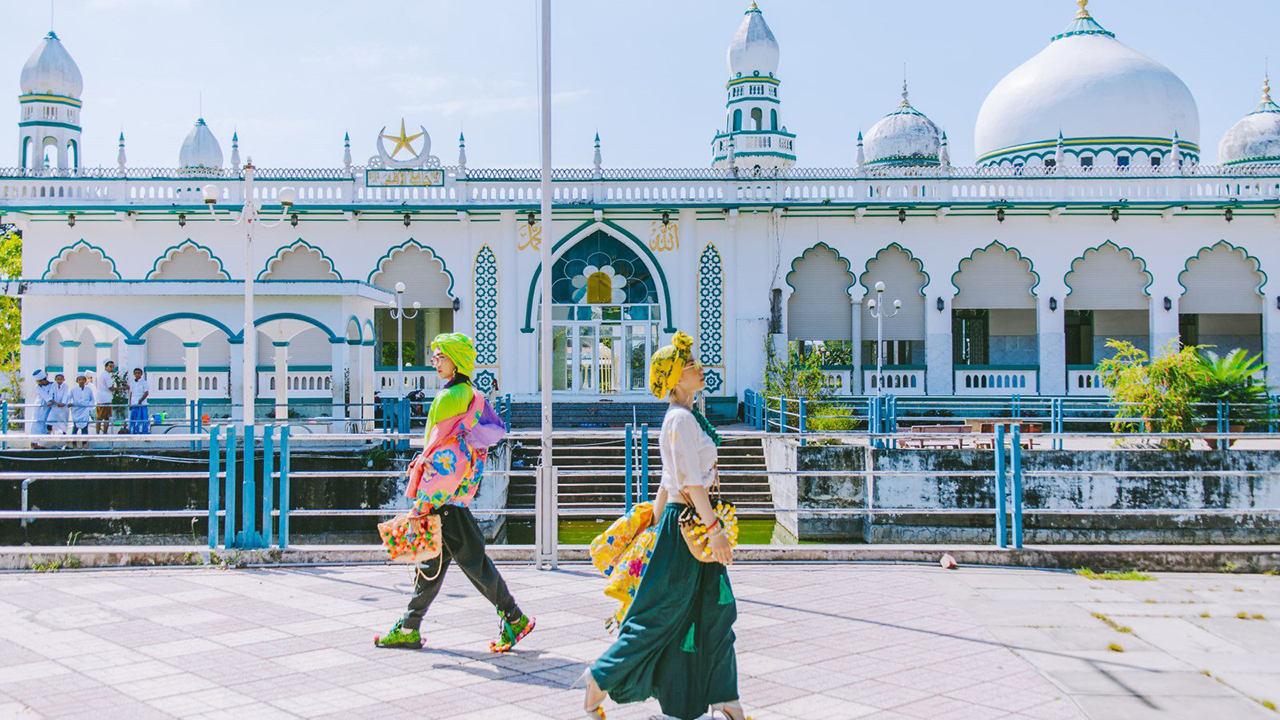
(676, 642)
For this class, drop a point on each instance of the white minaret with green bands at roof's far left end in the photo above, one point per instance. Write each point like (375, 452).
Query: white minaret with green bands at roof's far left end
(51, 107)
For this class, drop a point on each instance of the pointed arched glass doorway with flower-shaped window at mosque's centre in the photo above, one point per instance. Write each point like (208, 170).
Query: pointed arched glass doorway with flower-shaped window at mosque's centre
(606, 318)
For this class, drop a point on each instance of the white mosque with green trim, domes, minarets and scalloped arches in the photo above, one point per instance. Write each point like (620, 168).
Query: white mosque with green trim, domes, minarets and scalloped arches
(1089, 217)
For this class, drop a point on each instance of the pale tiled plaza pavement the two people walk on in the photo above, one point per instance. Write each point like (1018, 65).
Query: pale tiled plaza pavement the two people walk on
(826, 641)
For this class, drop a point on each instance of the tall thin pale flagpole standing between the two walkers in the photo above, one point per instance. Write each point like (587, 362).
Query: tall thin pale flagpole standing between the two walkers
(547, 508)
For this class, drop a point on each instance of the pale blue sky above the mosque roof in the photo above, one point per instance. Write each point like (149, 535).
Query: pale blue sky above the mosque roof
(291, 76)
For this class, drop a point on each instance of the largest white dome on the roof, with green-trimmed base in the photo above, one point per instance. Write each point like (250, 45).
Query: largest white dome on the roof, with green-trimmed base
(1104, 97)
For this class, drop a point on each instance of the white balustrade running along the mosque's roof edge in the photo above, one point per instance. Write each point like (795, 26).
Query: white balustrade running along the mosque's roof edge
(345, 188)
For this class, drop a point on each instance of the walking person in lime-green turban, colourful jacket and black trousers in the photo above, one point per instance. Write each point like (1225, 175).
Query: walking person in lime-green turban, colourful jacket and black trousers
(461, 426)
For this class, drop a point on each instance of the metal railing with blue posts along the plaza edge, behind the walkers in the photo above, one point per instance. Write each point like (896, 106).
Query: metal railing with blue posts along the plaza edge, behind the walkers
(250, 485)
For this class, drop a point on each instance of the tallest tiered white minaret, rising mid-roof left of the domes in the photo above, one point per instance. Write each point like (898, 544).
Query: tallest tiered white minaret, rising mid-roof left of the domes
(753, 117)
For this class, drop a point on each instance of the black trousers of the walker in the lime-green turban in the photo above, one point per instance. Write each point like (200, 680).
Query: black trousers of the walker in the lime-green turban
(463, 544)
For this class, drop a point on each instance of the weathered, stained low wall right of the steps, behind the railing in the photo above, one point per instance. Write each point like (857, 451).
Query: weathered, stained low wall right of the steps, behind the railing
(1072, 481)
